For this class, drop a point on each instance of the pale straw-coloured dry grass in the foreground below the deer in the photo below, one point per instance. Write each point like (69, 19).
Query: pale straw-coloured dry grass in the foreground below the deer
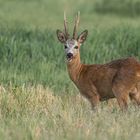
(35, 113)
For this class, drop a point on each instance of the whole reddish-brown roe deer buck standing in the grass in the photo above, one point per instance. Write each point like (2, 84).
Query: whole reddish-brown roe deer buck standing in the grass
(118, 79)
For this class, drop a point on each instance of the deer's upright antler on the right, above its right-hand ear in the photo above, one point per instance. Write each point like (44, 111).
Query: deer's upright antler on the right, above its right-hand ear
(77, 20)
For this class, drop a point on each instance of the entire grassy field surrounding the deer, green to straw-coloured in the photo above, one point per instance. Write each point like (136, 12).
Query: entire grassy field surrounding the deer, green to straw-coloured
(37, 98)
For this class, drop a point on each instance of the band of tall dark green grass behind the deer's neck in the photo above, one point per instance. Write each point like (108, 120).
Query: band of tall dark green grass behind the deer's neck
(29, 56)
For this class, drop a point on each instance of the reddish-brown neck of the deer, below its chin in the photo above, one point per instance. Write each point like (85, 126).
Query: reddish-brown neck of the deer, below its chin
(74, 68)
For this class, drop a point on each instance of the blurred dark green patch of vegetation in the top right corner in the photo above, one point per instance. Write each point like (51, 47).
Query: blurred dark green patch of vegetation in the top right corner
(119, 7)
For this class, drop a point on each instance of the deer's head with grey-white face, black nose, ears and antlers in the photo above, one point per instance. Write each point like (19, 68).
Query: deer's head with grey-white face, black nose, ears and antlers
(71, 44)
